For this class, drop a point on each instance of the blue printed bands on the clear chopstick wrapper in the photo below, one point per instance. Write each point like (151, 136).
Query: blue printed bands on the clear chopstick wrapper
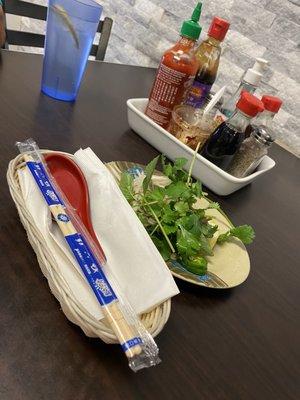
(90, 266)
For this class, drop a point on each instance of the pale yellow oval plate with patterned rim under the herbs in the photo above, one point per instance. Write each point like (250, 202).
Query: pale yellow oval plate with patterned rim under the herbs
(230, 264)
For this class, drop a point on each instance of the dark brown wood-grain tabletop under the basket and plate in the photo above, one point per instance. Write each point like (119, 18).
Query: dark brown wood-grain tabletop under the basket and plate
(234, 344)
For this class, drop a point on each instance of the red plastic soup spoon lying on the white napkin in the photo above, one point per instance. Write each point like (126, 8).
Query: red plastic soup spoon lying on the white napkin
(73, 185)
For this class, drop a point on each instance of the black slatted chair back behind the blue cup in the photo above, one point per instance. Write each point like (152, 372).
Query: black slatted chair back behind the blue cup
(25, 9)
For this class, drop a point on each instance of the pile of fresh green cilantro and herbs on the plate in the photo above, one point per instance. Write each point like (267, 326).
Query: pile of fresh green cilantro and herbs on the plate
(178, 229)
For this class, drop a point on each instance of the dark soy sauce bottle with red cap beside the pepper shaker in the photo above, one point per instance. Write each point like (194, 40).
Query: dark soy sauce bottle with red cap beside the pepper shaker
(227, 138)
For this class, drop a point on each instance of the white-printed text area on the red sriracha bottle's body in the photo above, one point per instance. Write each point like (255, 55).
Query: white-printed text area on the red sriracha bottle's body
(169, 89)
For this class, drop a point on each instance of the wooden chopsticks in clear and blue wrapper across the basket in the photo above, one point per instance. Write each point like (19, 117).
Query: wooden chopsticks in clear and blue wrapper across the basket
(135, 340)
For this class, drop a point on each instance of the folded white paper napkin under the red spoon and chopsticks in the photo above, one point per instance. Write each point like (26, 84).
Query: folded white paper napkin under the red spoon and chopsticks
(132, 257)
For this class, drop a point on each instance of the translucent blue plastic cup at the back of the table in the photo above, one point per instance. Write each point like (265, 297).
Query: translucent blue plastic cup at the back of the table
(71, 28)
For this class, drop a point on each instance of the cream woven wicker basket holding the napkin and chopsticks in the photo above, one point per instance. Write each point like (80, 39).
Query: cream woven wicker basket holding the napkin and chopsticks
(154, 320)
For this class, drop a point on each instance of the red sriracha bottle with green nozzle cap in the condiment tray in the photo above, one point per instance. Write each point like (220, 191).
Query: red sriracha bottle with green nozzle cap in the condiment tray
(176, 73)
